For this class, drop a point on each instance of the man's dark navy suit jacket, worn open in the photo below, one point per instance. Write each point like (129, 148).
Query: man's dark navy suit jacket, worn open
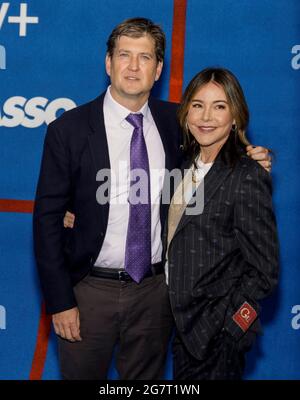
(75, 149)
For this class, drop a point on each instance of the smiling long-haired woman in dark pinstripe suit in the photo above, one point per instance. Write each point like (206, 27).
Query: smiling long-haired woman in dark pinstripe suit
(223, 258)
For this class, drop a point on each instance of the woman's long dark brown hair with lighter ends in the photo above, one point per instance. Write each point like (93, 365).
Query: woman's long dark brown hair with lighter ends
(235, 145)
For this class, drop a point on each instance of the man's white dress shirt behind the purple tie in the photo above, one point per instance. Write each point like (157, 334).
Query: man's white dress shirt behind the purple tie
(119, 133)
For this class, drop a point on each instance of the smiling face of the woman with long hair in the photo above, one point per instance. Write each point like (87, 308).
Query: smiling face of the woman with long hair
(209, 117)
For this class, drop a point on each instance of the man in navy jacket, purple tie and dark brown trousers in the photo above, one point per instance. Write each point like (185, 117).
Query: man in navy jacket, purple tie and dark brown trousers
(103, 281)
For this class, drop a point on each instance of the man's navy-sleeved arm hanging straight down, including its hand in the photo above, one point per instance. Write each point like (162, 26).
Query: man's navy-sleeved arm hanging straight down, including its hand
(52, 199)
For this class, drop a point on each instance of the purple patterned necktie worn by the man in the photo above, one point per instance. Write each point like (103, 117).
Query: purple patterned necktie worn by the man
(138, 241)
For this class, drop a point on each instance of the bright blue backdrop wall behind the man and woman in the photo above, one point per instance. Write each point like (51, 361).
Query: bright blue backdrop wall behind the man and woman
(55, 60)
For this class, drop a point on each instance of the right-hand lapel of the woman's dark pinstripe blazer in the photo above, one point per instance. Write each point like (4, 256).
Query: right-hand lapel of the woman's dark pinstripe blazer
(212, 181)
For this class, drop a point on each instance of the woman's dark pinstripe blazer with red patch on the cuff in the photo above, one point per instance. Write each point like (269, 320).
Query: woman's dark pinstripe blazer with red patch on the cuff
(224, 260)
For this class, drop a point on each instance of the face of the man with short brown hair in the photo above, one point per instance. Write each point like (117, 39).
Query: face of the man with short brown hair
(133, 69)
